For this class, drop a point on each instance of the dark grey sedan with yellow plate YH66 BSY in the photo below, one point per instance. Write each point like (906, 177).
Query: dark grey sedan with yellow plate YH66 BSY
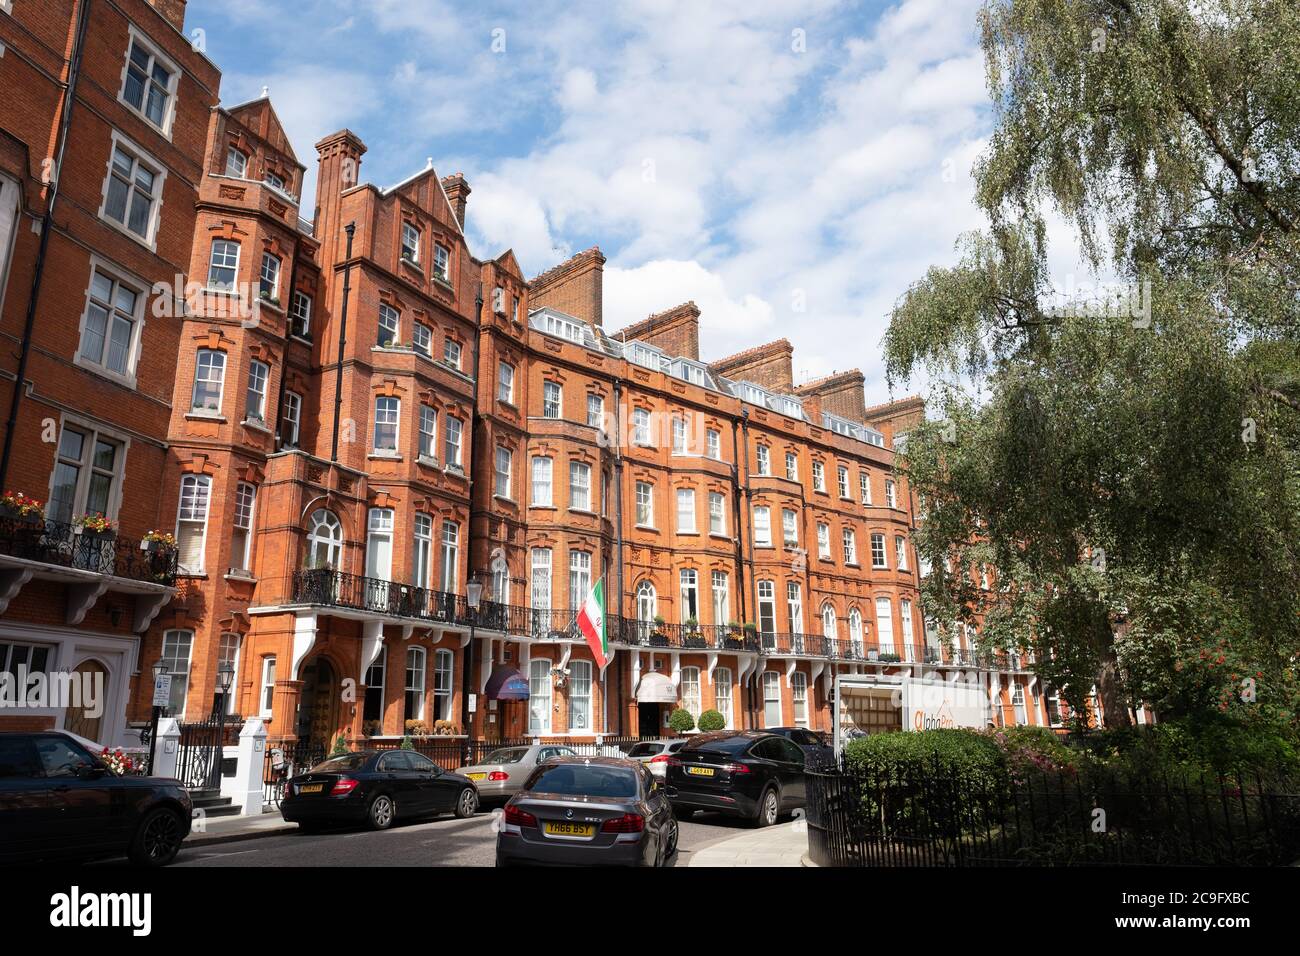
(588, 811)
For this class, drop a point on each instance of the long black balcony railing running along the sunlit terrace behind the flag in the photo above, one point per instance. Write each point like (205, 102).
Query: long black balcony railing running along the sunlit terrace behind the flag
(340, 590)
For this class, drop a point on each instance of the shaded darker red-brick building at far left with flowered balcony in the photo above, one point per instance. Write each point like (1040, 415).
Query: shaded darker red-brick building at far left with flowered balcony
(103, 124)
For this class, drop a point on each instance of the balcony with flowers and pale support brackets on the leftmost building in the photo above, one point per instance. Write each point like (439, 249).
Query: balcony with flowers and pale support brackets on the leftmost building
(86, 563)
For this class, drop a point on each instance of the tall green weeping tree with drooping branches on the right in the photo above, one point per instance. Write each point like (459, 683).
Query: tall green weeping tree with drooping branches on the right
(1129, 468)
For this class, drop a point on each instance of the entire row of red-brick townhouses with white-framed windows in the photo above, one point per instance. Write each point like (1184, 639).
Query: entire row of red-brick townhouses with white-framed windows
(393, 471)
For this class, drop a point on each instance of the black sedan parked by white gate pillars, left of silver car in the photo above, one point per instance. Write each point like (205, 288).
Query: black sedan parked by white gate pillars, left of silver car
(376, 789)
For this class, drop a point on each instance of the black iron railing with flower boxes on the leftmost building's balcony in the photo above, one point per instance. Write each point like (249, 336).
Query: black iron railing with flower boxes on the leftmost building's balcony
(70, 546)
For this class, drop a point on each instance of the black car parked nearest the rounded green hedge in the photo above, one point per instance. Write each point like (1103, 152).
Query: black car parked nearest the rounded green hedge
(751, 775)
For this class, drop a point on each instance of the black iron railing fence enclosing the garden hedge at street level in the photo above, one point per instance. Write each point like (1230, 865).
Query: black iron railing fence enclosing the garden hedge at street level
(929, 817)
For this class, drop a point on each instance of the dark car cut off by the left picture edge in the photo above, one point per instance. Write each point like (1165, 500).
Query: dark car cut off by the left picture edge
(60, 802)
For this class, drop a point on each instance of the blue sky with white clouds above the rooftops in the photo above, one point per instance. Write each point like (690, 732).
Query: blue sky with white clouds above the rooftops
(790, 166)
